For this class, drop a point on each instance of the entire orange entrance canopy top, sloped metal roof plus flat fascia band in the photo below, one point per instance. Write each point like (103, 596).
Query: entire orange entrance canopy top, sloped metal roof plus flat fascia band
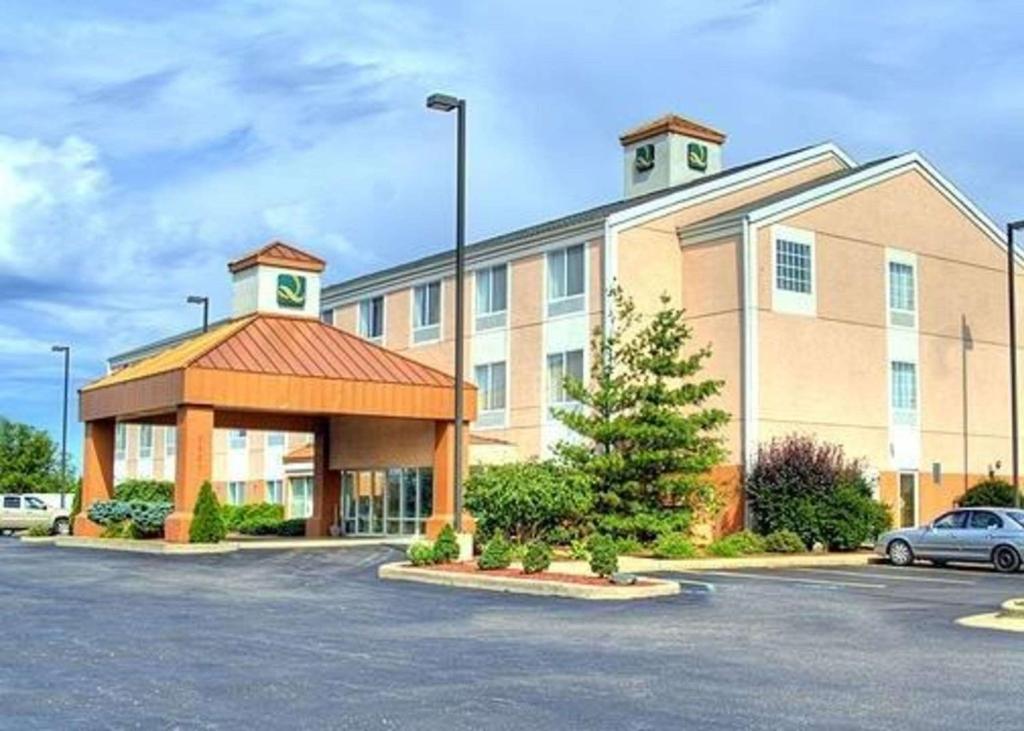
(273, 363)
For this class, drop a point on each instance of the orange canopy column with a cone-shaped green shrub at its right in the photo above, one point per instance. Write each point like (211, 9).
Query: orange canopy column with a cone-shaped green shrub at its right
(194, 466)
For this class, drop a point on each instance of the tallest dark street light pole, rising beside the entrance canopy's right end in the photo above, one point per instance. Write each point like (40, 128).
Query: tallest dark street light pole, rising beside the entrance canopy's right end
(445, 103)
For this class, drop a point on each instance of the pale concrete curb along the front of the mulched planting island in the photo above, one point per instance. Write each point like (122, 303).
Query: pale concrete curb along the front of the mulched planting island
(403, 572)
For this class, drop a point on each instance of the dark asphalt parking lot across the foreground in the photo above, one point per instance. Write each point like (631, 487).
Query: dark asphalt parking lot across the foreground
(313, 640)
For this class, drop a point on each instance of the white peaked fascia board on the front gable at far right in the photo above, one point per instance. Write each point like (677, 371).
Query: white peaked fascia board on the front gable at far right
(872, 177)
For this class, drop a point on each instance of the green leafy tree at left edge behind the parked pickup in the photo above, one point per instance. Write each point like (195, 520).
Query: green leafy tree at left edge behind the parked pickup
(30, 460)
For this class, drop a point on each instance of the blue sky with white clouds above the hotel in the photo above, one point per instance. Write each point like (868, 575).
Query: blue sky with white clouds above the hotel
(145, 145)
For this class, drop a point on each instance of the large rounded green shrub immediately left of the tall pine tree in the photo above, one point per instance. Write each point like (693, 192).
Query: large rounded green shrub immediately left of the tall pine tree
(526, 500)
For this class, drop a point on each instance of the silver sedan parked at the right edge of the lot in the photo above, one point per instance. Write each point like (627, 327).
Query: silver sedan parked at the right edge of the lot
(974, 535)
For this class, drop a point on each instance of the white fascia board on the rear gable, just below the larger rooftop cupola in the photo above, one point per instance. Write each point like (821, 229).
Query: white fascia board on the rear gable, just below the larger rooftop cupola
(659, 207)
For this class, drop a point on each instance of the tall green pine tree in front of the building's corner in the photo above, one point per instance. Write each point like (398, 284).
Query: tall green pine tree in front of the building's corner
(649, 439)
